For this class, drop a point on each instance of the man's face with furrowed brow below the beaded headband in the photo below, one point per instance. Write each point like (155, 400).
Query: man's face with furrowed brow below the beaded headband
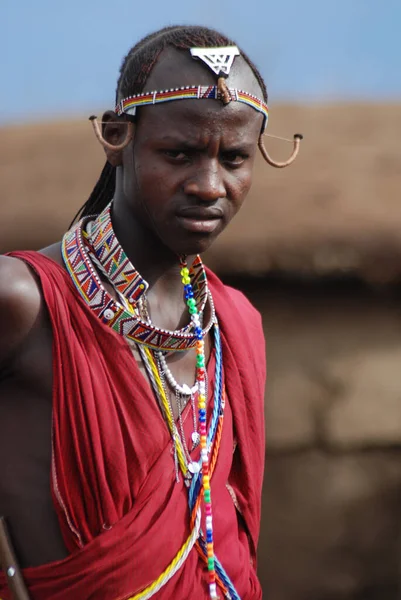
(190, 166)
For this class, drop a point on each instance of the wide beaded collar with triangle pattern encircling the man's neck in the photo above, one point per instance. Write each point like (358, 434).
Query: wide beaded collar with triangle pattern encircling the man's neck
(77, 255)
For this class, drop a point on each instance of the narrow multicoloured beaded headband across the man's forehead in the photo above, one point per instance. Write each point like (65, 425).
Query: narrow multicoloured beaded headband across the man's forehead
(196, 92)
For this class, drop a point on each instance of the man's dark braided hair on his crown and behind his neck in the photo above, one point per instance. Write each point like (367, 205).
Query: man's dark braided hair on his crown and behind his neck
(134, 72)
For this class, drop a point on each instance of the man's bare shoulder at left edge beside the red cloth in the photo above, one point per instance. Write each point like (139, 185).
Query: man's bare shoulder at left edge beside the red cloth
(20, 304)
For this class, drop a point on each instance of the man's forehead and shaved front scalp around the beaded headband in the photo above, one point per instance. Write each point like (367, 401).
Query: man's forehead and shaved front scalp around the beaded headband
(177, 68)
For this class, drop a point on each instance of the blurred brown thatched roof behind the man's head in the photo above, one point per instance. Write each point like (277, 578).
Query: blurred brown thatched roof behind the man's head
(336, 209)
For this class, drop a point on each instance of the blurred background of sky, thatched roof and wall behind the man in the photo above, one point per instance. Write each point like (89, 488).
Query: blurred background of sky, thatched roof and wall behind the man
(317, 247)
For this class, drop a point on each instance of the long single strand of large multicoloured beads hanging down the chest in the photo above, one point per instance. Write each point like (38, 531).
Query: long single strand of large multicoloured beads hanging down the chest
(200, 378)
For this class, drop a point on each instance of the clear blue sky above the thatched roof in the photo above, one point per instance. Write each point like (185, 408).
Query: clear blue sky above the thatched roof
(62, 58)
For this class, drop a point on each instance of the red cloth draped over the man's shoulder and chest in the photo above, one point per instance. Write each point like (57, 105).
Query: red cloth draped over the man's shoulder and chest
(122, 514)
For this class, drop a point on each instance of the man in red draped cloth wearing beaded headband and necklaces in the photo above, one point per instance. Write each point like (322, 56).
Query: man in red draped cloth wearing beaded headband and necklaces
(131, 397)
